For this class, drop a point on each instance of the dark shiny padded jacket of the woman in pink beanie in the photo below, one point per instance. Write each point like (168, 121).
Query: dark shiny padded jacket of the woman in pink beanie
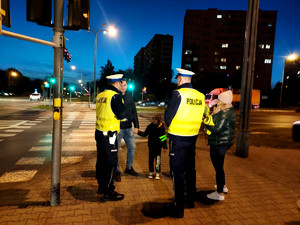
(223, 131)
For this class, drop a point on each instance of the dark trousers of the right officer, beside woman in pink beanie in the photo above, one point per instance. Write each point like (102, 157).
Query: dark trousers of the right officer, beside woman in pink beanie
(182, 165)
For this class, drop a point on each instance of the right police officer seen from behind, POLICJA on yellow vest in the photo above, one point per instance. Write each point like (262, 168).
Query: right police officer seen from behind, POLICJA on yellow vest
(183, 117)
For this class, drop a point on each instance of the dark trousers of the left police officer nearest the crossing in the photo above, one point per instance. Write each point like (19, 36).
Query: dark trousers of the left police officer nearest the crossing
(107, 157)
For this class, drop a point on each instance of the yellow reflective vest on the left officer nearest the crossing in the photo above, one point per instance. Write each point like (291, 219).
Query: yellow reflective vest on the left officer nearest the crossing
(106, 120)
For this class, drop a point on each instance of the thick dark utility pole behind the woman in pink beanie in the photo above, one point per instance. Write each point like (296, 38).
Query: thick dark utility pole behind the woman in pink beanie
(243, 134)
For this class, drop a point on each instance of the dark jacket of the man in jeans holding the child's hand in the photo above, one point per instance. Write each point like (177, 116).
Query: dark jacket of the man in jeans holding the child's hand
(131, 114)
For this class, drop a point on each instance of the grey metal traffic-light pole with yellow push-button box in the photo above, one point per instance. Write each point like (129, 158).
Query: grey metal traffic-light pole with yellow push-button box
(58, 39)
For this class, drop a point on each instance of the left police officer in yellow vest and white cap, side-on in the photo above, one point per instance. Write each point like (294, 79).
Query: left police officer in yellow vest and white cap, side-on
(109, 110)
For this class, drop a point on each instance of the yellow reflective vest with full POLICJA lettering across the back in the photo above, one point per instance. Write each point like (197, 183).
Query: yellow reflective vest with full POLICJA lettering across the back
(188, 118)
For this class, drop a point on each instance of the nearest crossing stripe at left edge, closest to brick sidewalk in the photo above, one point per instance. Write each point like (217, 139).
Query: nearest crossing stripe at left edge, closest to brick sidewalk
(17, 176)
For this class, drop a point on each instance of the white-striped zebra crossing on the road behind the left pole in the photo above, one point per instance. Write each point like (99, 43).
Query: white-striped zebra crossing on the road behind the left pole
(78, 142)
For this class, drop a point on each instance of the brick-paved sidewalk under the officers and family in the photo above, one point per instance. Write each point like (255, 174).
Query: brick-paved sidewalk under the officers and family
(263, 189)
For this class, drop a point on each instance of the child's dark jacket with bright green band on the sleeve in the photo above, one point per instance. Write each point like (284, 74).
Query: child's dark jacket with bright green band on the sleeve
(154, 132)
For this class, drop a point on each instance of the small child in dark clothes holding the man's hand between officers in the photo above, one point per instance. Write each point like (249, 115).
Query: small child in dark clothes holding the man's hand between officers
(155, 130)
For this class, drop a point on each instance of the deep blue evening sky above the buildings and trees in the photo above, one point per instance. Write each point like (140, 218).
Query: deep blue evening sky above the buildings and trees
(137, 22)
